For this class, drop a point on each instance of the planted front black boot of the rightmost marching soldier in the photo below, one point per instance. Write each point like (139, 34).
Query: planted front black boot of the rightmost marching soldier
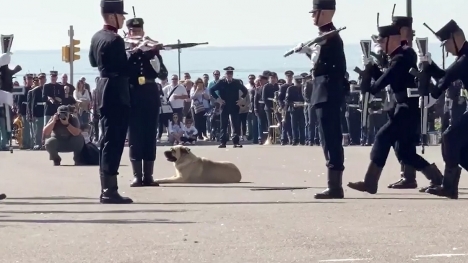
(450, 182)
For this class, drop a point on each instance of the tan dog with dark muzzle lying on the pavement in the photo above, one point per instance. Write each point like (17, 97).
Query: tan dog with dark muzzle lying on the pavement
(199, 170)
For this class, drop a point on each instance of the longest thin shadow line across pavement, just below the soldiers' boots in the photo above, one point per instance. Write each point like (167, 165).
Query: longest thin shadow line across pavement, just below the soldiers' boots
(179, 203)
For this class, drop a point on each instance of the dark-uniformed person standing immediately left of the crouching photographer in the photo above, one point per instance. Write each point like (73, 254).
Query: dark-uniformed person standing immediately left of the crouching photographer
(38, 111)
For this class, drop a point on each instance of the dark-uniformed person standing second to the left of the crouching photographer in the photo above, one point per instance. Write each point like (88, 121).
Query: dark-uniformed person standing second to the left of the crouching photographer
(23, 110)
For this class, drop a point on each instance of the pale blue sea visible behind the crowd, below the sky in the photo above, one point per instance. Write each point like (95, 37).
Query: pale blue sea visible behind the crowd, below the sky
(201, 60)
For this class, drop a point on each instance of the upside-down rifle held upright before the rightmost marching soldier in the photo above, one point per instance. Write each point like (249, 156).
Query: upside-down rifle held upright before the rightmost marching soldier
(423, 82)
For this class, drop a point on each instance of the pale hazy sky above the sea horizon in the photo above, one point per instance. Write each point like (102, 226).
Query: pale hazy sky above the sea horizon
(43, 25)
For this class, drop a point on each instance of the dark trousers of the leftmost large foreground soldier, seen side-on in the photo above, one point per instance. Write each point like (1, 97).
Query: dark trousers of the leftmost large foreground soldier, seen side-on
(114, 126)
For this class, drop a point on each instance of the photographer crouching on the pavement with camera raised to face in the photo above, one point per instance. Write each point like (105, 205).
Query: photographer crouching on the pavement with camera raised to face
(65, 135)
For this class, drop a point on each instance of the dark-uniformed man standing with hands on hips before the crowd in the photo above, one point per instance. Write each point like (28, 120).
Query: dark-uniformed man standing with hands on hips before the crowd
(228, 90)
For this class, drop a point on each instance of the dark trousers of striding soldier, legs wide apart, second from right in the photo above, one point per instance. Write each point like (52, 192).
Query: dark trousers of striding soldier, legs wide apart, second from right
(399, 132)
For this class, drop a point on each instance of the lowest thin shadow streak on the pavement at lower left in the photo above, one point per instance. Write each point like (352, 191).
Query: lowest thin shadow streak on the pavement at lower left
(103, 221)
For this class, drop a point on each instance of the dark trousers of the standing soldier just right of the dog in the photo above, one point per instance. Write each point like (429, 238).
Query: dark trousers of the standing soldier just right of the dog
(329, 119)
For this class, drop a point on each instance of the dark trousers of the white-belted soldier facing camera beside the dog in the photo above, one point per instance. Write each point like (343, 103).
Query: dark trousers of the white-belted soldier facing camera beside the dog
(142, 131)
